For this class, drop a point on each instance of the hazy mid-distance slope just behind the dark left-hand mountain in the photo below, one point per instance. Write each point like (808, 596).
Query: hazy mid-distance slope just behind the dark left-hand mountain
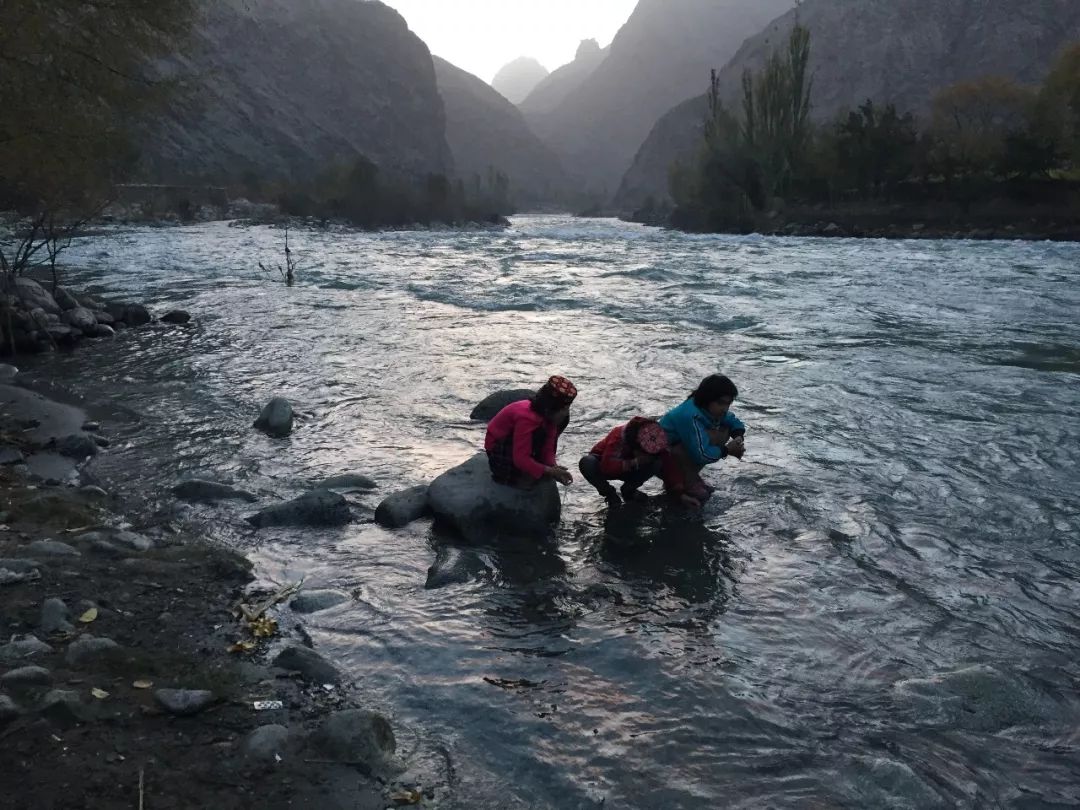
(485, 131)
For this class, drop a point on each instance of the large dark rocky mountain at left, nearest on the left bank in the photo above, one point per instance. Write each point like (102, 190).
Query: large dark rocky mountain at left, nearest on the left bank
(285, 88)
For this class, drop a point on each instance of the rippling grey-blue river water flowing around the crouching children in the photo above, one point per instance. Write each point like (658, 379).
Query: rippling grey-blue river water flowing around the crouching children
(879, 609)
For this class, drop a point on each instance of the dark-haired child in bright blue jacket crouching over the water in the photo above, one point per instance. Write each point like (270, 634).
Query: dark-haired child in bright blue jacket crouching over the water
(703, 431)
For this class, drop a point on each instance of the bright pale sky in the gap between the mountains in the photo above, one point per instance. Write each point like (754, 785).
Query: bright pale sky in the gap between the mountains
(482, 36)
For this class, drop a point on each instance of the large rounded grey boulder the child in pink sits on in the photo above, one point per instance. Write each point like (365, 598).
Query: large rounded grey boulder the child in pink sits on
(468, 501)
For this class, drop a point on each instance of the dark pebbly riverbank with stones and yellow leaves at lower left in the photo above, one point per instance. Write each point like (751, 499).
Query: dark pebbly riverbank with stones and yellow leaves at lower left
(141, 666)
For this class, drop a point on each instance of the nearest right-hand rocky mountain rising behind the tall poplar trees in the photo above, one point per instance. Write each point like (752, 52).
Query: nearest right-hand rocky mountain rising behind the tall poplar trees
(898, 51)
